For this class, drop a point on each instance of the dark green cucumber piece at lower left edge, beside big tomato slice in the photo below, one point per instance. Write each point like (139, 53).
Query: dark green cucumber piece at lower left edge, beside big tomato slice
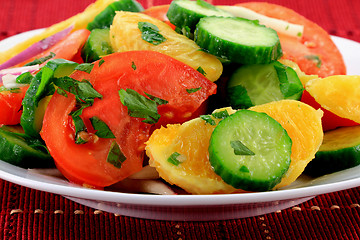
(19, 150)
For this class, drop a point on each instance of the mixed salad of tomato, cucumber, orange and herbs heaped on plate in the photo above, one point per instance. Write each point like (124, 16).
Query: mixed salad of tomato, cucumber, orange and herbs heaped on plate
(209, 99)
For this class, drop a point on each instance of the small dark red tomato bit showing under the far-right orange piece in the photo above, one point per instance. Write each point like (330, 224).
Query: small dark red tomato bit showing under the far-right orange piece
(329, 120)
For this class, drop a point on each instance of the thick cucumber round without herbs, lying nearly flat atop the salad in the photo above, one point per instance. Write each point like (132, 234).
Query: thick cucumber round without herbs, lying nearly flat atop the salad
(238, 40)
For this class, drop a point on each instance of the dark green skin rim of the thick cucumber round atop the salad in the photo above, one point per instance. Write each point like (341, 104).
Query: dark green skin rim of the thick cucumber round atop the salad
(233, 51)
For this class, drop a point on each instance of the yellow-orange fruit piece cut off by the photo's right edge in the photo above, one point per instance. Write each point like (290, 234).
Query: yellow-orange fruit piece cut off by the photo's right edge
(338, 94)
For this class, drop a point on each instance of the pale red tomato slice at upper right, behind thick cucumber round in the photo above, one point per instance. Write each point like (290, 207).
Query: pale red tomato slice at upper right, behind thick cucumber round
(315, 41)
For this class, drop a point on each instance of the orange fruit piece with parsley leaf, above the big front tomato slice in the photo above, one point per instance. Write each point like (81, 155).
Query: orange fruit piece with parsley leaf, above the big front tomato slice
(126, 36)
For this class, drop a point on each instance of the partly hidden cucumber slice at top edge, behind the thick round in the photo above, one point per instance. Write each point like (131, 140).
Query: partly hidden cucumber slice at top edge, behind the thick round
(186, 14)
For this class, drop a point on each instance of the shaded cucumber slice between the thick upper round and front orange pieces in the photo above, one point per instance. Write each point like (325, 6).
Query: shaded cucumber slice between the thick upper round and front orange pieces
(257, 84)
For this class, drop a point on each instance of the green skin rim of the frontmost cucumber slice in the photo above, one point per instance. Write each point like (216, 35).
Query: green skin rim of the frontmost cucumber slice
(240, 182)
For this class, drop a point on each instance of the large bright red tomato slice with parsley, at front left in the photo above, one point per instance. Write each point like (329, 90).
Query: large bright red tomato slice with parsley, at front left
(143, 71)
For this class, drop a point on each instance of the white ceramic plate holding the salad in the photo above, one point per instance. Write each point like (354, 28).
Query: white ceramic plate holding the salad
(193, 207)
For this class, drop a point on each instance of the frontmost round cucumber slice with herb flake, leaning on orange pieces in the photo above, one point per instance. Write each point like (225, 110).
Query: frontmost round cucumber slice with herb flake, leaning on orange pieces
(264, 137)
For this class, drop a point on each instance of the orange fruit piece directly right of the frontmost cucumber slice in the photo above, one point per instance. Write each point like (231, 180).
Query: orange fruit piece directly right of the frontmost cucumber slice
(303, 124)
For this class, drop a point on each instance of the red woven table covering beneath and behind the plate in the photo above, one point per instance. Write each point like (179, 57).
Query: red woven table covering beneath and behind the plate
(29, 214)
